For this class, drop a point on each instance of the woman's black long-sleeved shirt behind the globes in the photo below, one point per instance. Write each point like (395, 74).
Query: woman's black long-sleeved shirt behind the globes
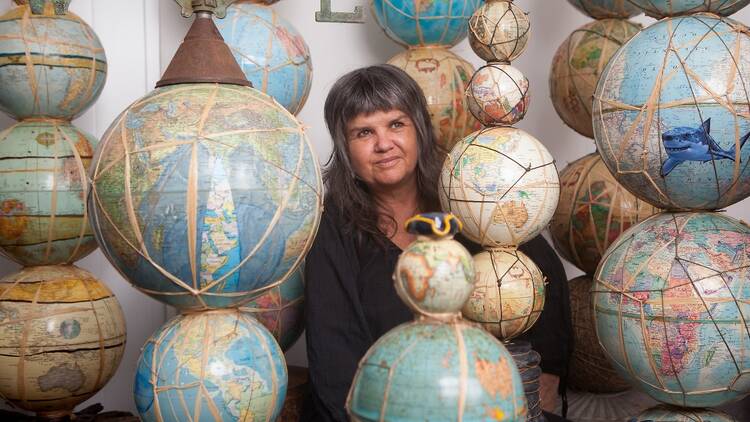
(350, 302)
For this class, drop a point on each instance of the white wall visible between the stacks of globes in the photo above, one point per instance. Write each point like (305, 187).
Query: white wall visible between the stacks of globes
(140, 37)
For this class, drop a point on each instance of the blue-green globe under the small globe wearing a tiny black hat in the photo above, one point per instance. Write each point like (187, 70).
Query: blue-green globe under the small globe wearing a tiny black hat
(430, 371)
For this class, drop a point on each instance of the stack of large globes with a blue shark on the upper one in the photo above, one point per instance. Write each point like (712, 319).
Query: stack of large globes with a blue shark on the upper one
(670, 122)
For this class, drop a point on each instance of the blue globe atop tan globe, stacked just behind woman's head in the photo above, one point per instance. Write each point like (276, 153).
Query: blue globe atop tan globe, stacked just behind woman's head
(428, 29)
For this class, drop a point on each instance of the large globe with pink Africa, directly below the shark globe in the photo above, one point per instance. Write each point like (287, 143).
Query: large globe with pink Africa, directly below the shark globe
(670, 303)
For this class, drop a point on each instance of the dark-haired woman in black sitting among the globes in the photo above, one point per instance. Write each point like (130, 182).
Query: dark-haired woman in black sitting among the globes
(384, 169)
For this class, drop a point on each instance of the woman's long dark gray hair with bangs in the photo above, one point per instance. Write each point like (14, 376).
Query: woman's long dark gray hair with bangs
(365, 91)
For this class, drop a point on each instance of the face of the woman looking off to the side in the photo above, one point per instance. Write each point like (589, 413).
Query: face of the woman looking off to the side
(383, 149)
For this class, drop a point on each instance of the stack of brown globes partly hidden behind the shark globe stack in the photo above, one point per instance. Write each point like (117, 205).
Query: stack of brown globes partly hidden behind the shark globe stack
(594, 209)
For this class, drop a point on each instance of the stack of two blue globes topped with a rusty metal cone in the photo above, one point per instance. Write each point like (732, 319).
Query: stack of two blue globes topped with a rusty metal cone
(205, 195)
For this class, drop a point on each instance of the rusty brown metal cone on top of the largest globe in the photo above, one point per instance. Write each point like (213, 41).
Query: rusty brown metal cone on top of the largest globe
(203, 57)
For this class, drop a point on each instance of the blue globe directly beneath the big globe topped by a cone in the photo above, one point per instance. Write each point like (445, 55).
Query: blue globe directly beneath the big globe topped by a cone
(224, 363)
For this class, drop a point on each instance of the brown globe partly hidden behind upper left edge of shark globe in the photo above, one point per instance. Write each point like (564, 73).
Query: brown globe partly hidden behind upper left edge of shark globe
(577, 65)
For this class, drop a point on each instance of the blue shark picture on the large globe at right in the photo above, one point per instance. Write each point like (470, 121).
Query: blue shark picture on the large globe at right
(694, 144)
